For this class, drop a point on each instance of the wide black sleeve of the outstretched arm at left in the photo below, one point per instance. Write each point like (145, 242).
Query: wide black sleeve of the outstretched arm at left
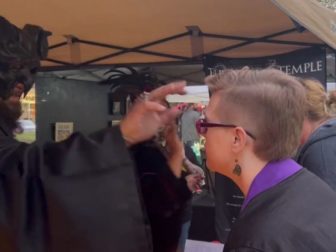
(77, 195)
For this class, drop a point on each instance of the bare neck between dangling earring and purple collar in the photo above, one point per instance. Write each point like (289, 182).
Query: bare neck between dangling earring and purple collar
(249, 170)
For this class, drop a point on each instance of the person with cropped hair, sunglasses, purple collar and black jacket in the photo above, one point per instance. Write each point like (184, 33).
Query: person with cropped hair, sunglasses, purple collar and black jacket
(252, 127)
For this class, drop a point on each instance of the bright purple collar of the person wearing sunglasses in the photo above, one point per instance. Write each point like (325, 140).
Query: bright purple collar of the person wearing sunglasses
(272, 174)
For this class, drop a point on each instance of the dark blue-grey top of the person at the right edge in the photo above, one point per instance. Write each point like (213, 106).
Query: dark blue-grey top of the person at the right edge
(318, 154)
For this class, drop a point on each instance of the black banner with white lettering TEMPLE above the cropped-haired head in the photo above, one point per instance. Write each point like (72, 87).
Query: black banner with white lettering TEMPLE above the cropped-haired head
(306, 63)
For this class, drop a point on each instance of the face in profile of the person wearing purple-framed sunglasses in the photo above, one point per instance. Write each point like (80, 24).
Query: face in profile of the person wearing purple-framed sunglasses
(217, 140)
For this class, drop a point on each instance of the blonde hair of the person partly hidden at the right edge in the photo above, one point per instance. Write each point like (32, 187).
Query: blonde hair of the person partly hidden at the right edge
(316, 98)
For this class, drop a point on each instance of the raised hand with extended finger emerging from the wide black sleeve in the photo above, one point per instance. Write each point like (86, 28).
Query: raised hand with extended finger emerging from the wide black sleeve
(147, 116)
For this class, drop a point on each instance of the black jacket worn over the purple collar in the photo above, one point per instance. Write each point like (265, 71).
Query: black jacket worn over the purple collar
(297, 215)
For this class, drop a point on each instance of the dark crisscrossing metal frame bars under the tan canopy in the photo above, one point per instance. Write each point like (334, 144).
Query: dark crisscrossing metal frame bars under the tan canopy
(242, 41)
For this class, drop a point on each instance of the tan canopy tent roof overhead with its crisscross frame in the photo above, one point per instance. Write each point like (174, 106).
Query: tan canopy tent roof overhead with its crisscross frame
(87, 32)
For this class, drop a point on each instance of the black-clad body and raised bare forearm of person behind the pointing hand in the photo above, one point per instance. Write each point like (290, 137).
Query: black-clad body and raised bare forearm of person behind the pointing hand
(165, 191)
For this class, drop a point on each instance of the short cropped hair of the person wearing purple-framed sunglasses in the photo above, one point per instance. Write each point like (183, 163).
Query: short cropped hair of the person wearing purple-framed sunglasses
(266, 102)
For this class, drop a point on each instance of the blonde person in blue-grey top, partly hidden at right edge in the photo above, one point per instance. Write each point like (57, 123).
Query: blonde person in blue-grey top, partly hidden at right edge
(318, 138)
